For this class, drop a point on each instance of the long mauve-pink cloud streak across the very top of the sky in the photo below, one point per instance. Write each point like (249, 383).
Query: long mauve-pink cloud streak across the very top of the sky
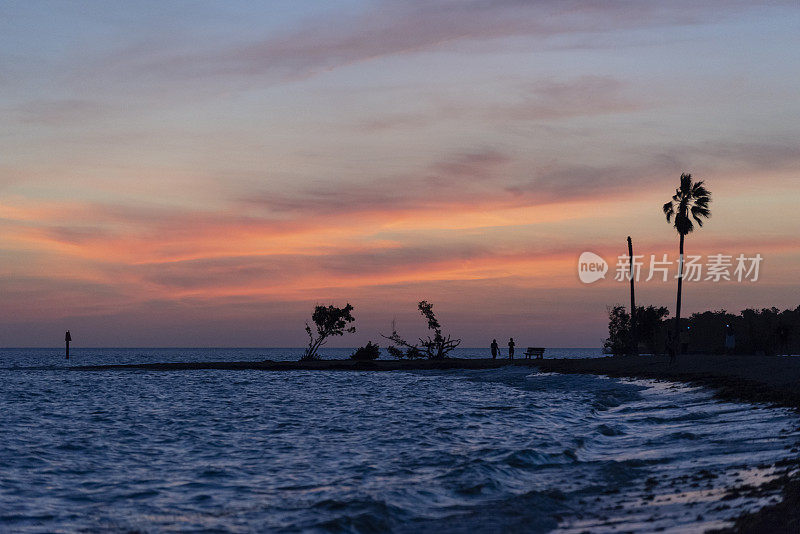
(391, 28)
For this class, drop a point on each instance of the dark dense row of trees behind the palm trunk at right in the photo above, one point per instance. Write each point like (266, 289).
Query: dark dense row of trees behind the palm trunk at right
(766, 331)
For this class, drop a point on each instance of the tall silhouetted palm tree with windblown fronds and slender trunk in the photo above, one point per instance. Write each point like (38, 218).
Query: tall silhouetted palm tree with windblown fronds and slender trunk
(689, 205)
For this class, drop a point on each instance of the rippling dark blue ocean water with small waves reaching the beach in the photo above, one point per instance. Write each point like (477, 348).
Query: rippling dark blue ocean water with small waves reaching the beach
(508, 449)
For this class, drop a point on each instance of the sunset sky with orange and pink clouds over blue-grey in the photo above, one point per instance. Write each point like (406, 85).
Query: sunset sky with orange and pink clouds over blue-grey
(204, 173)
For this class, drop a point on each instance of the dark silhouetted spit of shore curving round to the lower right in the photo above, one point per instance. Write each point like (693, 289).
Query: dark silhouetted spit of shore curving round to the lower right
(756, 379)
